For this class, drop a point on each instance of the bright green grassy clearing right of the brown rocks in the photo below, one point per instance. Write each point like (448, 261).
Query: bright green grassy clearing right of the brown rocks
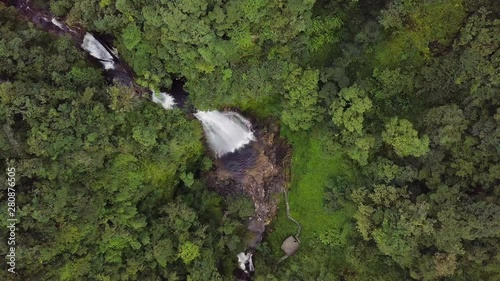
(311, 169)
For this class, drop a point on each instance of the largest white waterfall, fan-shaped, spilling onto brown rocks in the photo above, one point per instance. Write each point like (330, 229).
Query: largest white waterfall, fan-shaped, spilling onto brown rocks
(226, 131)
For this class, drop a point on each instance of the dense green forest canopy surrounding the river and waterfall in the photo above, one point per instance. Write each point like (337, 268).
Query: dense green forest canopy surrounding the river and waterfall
(392, 109)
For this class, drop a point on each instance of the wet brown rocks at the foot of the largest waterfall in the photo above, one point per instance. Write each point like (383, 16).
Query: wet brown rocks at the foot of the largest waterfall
(258, 171)
